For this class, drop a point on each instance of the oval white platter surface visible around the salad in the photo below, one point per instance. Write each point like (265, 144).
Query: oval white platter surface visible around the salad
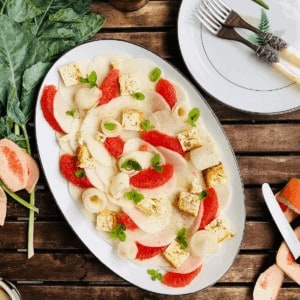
(85, 229)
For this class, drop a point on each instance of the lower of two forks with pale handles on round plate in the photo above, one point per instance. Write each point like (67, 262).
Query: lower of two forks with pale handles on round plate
(209, 21)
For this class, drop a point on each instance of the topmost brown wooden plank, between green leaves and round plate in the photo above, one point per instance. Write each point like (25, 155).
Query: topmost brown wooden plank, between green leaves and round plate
(155, 14)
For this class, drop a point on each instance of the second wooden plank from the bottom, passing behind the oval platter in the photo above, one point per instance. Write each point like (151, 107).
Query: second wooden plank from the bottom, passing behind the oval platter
(69, 267)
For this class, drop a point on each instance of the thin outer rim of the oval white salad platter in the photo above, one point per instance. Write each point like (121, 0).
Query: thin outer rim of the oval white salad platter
(166, 290)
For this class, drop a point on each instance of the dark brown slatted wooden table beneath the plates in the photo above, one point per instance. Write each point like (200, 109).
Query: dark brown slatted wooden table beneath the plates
(267, 149)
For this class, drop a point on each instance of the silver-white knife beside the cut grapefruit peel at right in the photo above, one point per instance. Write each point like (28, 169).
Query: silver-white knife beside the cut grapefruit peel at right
(280, 220)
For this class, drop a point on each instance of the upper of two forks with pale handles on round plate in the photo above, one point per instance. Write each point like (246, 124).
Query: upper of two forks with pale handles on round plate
(230, 18)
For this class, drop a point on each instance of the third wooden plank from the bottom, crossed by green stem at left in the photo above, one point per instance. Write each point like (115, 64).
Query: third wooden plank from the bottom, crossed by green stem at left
(57, 235)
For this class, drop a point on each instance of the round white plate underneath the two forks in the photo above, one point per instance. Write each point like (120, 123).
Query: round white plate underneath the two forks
(230, 71)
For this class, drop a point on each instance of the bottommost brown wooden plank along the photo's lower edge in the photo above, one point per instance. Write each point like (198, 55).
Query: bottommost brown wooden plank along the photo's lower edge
(47, 292)
